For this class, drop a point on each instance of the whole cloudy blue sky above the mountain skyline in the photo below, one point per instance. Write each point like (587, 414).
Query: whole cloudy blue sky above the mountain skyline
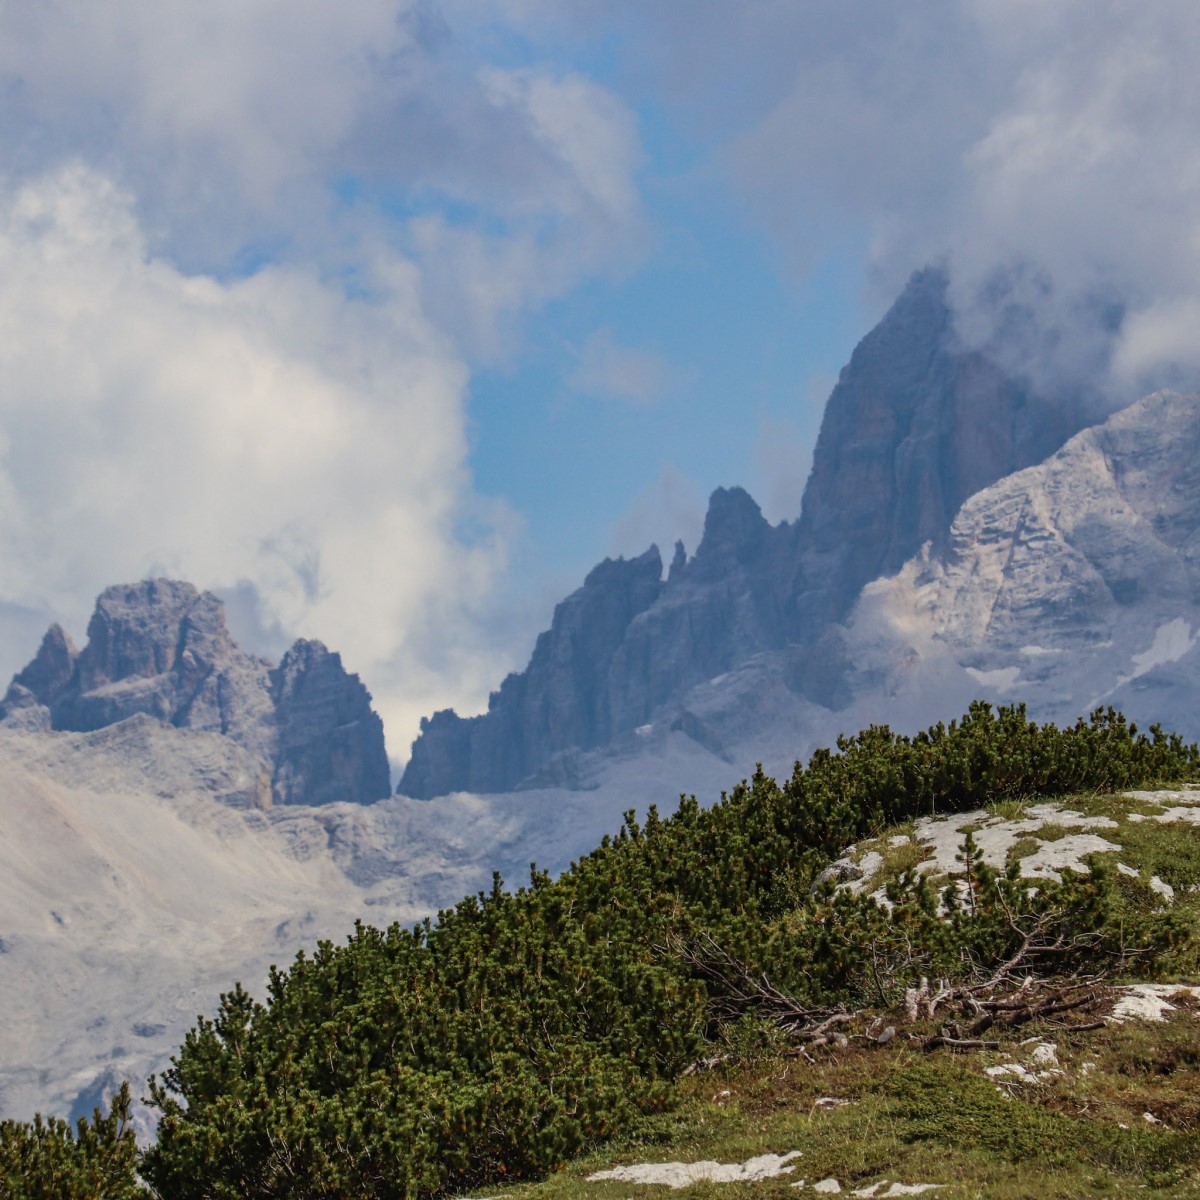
(388, 320)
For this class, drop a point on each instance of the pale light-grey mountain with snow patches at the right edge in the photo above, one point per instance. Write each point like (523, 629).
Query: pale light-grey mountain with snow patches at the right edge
(1076, 583)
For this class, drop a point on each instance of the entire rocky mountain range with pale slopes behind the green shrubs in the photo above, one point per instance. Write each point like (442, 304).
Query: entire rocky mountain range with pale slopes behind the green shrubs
(178, 814)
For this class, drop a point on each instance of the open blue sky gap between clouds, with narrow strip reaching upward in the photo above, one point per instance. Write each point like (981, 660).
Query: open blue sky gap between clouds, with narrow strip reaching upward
(737, 358)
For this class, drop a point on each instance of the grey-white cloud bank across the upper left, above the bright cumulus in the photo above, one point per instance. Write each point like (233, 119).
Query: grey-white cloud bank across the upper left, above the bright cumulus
(241, 127)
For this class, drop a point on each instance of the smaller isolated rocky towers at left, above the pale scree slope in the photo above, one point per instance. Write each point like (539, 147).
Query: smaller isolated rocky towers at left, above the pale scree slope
(161, 649)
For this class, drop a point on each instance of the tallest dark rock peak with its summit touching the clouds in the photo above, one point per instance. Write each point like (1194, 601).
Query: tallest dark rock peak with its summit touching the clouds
(915, 428)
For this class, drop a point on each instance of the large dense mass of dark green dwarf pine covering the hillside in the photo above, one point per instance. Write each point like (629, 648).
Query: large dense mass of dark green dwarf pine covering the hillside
(518, 1030)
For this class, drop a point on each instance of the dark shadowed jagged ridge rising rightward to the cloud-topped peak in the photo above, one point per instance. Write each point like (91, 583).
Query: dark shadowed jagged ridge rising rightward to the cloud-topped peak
(915, 427)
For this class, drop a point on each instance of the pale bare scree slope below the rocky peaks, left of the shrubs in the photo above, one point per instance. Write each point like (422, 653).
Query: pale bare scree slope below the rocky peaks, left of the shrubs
(139, 881)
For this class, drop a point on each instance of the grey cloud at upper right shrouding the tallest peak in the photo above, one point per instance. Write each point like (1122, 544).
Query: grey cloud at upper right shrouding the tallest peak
(1047, 148)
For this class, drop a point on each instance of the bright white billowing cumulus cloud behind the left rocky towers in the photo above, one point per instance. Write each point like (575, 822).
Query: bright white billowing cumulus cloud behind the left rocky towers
(266, 431)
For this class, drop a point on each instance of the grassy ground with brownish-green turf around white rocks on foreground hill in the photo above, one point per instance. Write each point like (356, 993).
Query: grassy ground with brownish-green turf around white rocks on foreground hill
(938, 1118)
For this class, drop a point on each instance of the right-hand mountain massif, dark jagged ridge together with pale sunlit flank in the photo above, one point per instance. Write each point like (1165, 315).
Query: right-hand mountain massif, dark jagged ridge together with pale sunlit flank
(959, 536)
